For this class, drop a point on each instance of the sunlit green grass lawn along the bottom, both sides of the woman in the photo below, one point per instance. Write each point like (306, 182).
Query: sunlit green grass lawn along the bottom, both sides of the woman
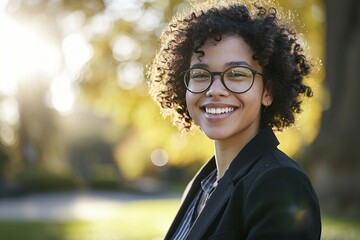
(139, 220)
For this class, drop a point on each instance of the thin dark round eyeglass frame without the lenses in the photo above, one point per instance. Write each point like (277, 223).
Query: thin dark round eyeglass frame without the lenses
(221, 74)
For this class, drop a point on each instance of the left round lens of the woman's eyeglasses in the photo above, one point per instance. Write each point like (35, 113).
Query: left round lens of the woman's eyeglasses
(197, 79)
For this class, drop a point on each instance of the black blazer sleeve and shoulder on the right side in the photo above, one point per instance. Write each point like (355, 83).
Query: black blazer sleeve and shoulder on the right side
(279, 196)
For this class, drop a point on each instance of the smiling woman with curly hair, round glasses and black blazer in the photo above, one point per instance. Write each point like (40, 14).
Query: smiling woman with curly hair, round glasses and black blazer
(236, 72)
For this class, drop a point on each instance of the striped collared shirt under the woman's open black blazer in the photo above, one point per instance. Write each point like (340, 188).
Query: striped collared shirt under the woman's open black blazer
(208, 185)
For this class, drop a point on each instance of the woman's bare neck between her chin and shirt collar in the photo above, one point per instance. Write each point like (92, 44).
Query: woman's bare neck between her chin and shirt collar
(226, 151)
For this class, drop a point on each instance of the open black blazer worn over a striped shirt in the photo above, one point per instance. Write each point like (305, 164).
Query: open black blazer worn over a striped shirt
(263, 195)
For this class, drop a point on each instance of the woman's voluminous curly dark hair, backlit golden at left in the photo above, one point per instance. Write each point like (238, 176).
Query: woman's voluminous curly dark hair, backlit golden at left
(275, 47)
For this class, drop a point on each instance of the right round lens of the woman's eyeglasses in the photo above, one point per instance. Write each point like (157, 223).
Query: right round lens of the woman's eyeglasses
(238, 79)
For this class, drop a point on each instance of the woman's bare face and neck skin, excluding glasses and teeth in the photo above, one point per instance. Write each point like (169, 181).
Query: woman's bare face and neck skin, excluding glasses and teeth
(233, 130)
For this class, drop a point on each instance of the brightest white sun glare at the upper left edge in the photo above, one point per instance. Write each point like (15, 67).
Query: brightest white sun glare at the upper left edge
(23, 53)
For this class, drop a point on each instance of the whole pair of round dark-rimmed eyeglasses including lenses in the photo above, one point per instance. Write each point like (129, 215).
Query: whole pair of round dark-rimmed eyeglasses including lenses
(238, 79)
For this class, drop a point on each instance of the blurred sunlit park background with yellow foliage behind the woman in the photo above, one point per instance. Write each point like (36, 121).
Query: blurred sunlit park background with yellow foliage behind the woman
(84, 151)
